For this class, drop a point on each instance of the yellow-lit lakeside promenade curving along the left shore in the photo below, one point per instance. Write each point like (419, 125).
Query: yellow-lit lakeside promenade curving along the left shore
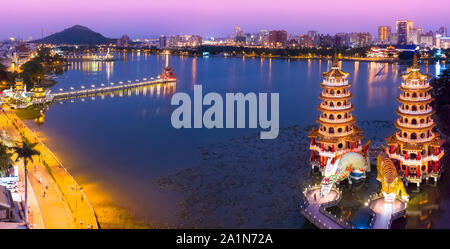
(61, 201)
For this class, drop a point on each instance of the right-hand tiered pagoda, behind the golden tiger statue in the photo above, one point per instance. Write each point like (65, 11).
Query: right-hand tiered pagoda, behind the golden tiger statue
(415, 147)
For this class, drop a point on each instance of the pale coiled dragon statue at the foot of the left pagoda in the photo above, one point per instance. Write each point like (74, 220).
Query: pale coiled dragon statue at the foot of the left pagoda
(346, 166)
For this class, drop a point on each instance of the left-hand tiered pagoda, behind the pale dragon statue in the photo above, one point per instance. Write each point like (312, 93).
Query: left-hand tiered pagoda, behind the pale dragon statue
(337, 132)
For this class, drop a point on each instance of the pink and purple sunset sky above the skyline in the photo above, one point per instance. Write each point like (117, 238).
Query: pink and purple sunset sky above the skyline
(149, 18)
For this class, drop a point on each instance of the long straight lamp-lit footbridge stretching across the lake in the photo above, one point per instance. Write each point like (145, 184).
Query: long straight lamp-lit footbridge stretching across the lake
(107, 88)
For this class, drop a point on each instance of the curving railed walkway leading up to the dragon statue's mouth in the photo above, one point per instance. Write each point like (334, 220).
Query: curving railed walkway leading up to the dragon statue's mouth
(314, 208)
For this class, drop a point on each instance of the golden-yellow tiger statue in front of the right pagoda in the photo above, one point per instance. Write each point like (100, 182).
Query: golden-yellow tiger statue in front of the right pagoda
(391, 182)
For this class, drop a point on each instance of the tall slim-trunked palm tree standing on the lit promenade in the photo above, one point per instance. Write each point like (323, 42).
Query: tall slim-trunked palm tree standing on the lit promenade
(25, 152)
